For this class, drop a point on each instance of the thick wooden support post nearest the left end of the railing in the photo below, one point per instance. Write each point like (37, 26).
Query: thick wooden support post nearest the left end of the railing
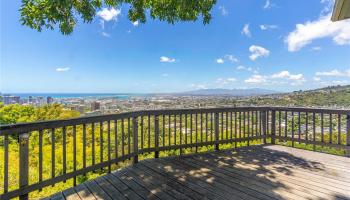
(23, 162)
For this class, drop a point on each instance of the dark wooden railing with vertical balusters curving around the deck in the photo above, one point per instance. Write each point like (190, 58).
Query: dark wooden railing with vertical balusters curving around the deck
(74, 147)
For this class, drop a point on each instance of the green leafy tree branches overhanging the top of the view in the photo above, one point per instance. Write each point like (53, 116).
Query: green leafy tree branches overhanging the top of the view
(39, 14)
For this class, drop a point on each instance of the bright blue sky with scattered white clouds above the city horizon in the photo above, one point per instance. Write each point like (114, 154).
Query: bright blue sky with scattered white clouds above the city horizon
(282, 45)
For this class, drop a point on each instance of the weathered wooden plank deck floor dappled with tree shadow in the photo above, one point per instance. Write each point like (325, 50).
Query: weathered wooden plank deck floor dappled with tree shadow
(259, 172)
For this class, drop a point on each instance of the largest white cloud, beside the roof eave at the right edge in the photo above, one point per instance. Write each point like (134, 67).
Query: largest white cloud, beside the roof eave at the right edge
(323, 27)
